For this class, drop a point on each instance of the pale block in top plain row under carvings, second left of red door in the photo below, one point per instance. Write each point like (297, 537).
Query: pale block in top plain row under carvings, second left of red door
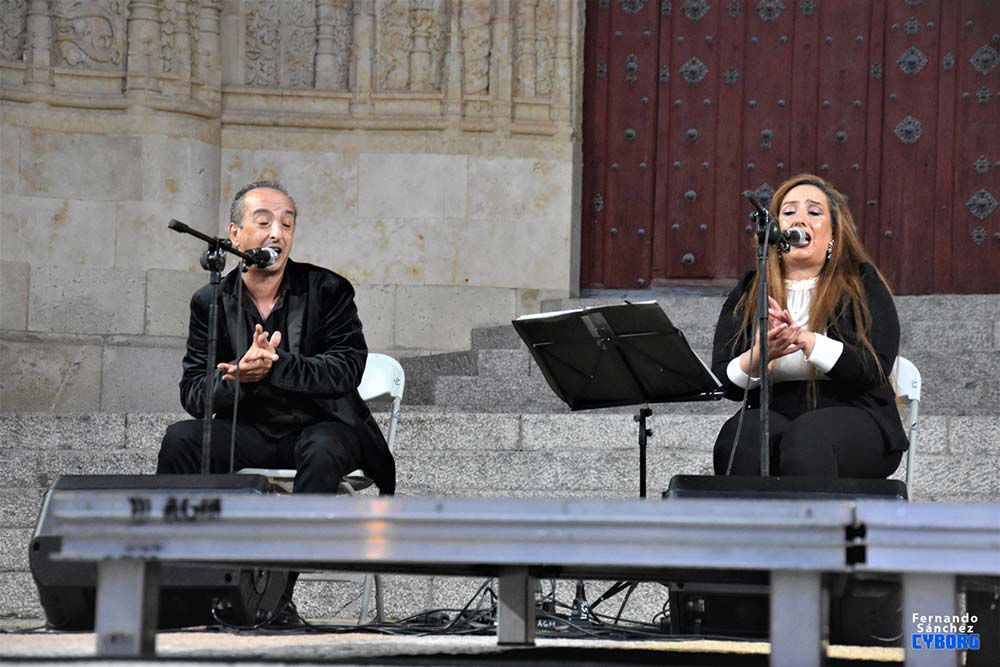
(399, 185)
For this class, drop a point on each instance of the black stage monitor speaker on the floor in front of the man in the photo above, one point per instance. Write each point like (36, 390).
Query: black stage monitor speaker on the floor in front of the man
(189, 594)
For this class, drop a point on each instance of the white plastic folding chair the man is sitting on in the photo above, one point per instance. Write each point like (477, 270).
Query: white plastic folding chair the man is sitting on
(383, 376)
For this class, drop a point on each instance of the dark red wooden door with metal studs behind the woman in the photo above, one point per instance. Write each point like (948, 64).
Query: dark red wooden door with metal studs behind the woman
(688, 103)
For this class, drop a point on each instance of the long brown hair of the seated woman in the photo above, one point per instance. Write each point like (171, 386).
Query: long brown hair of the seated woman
(839, 284)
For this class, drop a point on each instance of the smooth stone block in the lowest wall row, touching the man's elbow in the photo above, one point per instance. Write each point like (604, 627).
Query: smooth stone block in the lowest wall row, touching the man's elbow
(141, 379)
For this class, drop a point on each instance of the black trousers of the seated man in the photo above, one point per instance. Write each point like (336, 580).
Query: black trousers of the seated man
(321, 453)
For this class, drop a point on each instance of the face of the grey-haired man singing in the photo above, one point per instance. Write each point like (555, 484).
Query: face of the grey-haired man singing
(268, 222)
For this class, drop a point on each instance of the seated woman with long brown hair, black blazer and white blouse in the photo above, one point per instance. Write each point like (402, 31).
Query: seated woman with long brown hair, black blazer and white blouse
(832, 338)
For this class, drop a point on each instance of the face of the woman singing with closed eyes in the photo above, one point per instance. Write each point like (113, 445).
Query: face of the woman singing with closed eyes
(806, 206)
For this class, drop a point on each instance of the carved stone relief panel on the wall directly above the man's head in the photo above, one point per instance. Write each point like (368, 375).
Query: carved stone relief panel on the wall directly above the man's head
(280, 43)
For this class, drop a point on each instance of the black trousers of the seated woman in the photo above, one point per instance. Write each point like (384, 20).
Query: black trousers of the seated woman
(827, 442)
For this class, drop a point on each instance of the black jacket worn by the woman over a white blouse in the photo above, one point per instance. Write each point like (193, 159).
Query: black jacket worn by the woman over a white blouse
(854, 380)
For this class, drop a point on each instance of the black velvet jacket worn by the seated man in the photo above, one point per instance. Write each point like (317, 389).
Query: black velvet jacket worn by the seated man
(327, 354)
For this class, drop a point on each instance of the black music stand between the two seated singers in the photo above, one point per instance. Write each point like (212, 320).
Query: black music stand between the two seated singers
(610, 356)
